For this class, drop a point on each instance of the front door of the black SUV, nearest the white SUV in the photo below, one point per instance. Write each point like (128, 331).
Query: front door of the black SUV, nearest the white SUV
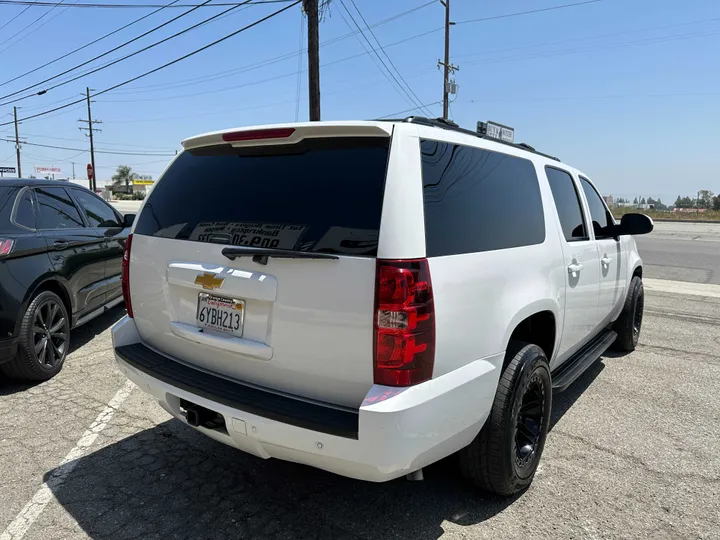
(109, 224)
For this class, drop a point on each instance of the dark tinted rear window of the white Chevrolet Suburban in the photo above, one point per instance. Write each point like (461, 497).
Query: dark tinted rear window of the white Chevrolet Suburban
(320, 195)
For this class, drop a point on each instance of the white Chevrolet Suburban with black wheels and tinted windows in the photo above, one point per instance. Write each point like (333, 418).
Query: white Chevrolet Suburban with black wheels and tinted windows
(371, 297)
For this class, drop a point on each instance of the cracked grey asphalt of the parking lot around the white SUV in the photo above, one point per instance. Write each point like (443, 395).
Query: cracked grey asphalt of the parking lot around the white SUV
(634, 452)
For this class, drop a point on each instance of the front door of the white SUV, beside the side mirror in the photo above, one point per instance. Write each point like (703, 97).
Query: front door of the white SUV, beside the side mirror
(610, 252)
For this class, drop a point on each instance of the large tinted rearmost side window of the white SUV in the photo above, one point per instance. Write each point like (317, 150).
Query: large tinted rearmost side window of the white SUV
(477, 200)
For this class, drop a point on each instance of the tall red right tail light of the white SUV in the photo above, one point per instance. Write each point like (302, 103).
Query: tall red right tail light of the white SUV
(404, 323)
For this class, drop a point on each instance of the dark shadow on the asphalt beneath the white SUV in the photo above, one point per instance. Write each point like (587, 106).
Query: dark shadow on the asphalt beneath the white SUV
(172, 482)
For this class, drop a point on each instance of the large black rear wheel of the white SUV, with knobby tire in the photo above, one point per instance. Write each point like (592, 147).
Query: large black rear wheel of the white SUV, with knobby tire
(501, 459)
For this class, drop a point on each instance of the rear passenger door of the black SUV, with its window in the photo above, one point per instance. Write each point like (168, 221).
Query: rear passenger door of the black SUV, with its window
(77, 251)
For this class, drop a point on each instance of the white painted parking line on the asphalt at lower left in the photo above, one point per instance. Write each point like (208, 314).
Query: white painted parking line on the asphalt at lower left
(31, 511)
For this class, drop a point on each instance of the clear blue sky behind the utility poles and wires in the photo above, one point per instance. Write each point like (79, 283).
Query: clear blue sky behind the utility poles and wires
(627, 90)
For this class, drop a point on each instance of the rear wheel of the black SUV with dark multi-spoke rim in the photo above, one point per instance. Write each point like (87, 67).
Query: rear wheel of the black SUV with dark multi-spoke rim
(44, 340)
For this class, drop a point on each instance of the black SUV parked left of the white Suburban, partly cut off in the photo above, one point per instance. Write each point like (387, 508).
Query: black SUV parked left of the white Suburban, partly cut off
(61, 249)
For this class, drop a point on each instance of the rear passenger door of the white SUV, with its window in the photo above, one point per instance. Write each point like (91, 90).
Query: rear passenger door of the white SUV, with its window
(581, 265)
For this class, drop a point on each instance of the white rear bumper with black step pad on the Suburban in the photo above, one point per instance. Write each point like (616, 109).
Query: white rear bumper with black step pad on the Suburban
(395, 431)
